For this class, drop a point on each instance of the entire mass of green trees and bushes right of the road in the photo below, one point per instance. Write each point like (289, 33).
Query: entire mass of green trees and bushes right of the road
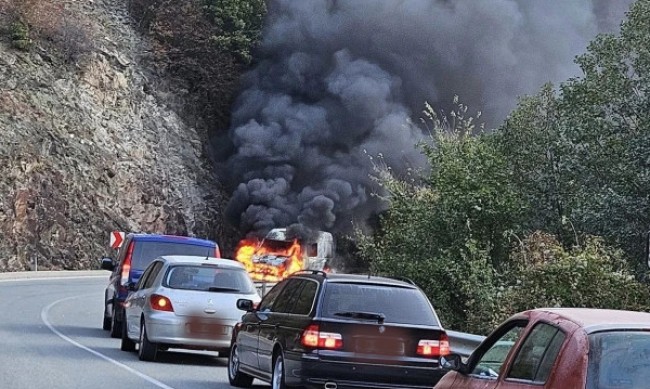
(551, 209)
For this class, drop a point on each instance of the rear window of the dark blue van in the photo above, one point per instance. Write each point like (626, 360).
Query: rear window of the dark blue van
(145, 252)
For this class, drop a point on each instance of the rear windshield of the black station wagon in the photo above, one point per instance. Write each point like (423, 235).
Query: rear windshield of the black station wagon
(394, 304)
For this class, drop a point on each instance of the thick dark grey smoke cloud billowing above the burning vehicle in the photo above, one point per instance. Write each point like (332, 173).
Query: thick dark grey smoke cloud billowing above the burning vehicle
(338, 83)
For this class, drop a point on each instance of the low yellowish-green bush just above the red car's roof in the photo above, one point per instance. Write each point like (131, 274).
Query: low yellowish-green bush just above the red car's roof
(544, 274)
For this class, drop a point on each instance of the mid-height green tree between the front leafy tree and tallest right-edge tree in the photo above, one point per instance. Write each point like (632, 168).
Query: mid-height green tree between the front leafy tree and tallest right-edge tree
(534, 141)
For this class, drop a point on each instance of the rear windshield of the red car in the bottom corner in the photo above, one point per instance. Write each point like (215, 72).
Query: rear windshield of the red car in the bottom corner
(619, 359)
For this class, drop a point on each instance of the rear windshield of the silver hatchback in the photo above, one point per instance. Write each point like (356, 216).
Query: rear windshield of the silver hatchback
(209, 278)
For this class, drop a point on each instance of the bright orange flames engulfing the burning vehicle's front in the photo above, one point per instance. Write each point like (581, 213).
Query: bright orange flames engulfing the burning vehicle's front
(259, 263)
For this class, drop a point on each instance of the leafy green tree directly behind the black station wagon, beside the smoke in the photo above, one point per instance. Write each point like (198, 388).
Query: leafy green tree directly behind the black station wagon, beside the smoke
(447, 228)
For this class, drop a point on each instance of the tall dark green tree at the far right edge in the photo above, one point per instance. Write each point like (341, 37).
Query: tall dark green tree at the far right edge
(607, 117)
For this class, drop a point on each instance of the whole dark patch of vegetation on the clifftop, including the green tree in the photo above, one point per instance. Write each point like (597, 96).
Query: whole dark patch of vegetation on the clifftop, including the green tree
(203, 47)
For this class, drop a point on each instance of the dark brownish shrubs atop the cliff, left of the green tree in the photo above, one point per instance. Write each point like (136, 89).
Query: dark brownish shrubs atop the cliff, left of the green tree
(182, 50)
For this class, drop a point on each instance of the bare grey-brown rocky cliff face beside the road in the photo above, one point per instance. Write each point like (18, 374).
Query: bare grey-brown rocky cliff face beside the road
(95, 145)
